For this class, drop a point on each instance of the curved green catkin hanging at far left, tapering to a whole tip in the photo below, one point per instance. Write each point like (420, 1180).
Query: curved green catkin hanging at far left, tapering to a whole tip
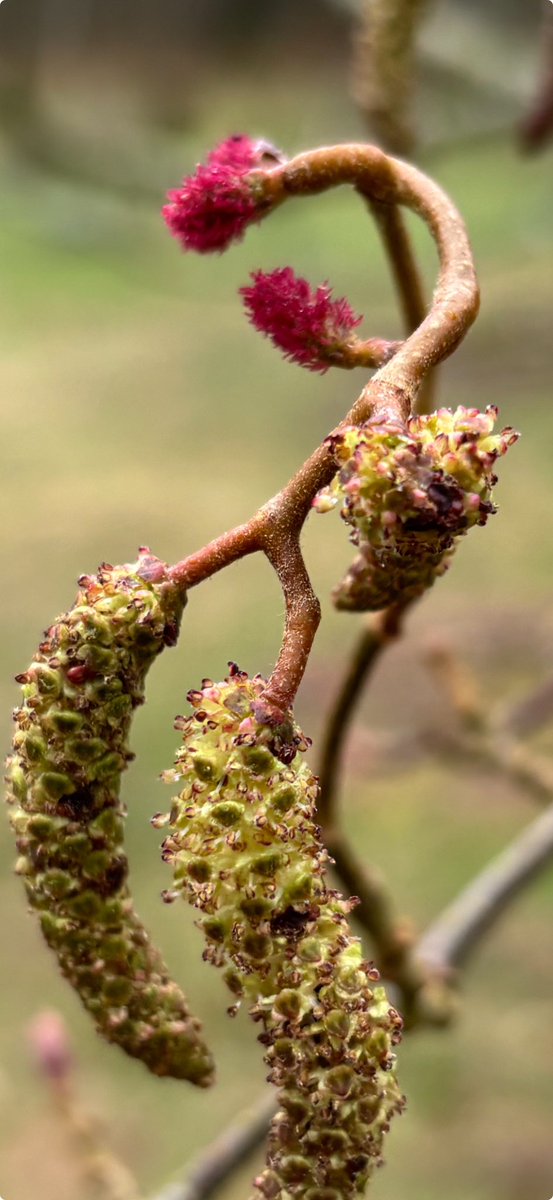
(70, 749)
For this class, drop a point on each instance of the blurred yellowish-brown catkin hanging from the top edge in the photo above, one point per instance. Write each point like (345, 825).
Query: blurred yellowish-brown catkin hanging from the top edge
(384, 70)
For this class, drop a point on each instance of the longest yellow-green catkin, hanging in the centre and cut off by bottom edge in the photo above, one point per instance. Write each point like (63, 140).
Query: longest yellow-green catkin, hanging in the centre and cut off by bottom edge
(248, 854)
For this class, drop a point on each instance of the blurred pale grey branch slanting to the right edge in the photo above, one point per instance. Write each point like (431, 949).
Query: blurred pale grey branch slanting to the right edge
(459, 931)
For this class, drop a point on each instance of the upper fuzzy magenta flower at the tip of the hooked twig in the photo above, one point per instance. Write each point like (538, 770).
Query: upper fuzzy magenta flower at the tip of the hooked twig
(214, 207)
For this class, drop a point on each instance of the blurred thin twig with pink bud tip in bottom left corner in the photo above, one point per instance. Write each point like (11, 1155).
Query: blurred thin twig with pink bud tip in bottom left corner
(104, 1177)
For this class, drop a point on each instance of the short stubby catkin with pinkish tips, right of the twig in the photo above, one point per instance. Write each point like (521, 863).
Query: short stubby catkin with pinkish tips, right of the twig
(408, 493)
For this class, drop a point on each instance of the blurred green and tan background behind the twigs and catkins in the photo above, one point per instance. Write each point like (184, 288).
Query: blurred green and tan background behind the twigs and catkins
(141, 407)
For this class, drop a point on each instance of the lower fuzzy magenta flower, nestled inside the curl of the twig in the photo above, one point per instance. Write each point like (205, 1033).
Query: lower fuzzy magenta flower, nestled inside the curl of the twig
(306, 325)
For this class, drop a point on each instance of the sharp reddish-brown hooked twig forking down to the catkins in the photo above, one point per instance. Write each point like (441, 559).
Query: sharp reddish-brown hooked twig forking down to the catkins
(276, 529)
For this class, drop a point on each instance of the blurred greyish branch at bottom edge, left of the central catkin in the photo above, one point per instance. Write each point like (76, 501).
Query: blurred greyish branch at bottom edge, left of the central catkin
(225, 1156)
